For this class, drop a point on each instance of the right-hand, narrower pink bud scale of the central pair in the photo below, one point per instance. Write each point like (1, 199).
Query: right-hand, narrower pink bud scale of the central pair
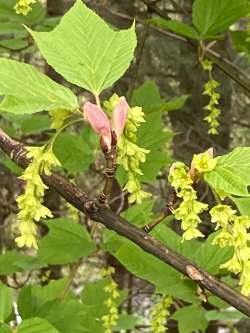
(119, 117)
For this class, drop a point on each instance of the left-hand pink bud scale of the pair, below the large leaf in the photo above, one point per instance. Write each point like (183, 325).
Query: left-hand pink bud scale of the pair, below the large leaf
(99, 121)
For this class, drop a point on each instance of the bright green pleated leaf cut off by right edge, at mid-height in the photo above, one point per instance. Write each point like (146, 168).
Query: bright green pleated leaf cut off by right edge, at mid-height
(231, 173)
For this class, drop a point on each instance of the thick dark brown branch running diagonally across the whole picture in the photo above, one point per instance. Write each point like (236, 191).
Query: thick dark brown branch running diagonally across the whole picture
(16, 151)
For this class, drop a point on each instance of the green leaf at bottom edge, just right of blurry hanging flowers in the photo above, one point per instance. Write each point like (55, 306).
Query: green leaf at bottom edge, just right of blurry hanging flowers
(191, 318)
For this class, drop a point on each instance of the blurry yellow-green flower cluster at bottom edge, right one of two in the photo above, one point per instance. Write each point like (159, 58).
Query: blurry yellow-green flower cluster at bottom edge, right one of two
(159, 314)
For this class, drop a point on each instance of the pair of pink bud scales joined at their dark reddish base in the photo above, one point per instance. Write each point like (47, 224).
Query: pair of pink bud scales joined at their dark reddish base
(109, 130)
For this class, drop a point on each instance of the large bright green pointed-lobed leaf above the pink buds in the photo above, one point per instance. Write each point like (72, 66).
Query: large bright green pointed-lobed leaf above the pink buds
(85, 50)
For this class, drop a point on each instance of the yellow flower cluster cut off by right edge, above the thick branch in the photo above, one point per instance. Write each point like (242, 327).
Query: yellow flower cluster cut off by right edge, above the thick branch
(234, 232)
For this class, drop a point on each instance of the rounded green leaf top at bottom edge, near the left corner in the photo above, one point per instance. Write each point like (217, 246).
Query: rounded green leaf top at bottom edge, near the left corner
(36, 325)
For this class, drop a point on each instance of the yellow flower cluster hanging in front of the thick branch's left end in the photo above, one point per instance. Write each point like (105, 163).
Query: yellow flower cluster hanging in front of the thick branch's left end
(30, 205)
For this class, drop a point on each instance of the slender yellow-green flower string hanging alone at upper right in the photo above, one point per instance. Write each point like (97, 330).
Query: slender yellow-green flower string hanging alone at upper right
(211, 107)
